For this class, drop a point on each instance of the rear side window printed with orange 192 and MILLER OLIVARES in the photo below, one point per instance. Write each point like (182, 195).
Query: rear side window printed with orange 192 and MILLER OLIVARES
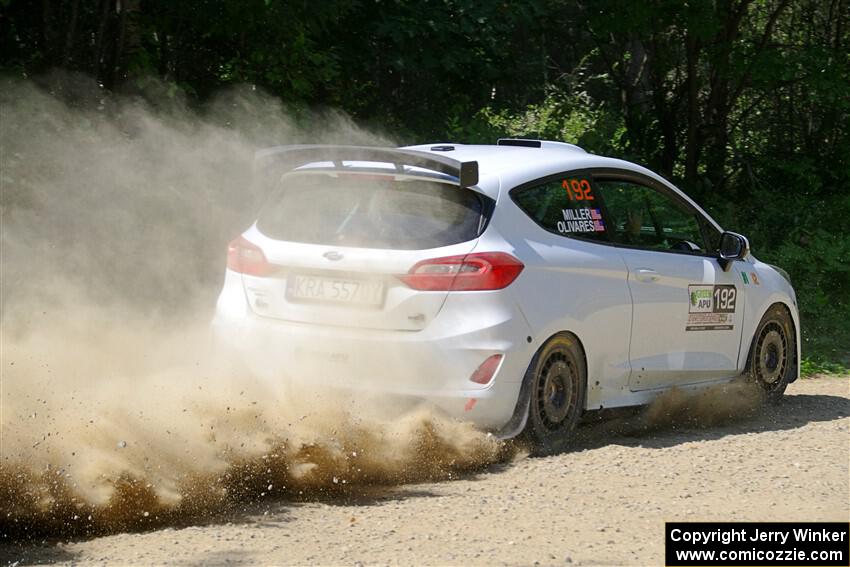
(565, 205)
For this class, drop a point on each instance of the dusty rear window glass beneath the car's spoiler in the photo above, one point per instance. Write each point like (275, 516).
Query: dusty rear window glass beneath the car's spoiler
(371, 212)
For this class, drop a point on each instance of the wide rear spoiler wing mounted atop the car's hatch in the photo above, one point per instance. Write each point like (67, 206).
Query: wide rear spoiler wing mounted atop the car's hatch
(291, 157)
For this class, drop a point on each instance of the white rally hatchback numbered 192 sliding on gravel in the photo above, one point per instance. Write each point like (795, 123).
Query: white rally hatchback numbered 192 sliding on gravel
(514, 285)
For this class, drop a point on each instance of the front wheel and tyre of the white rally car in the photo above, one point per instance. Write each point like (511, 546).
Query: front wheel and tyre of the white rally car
(772, 364)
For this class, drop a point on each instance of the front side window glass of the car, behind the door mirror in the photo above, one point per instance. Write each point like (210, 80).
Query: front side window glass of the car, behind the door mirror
(645, 218)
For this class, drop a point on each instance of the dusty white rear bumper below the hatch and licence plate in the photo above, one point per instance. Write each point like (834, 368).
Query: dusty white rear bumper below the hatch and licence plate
(432, 366)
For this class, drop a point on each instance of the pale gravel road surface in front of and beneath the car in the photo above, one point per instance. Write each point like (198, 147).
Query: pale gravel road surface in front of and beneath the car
(603, 503)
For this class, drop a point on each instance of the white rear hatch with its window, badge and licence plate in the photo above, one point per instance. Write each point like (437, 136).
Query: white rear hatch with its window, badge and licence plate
(330, 246)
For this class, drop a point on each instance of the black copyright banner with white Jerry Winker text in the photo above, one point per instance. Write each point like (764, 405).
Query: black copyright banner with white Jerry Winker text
(767, 544)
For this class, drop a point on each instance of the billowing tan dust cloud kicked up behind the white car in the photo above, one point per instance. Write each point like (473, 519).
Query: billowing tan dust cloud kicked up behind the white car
(116, 410)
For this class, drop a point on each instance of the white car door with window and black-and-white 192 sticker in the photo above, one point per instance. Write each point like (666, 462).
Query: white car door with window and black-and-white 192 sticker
(687, 309)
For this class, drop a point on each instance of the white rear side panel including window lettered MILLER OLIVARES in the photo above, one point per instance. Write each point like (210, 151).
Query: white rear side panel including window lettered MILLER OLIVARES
(574, 279)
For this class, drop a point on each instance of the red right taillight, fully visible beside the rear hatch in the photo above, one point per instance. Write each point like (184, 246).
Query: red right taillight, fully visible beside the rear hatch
(472, 272)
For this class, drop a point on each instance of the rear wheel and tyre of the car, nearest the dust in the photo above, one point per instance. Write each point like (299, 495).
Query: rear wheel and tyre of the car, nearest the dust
(558, 378)
